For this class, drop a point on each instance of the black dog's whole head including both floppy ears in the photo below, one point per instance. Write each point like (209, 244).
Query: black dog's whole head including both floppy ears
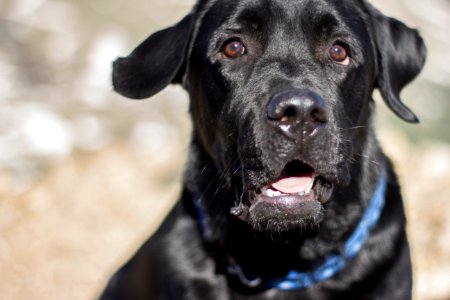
(282, 90)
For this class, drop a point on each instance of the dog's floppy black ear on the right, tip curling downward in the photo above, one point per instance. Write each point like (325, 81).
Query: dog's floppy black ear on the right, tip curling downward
(401, 55)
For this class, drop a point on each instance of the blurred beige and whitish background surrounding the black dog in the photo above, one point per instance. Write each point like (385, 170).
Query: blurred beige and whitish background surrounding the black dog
(86, 175)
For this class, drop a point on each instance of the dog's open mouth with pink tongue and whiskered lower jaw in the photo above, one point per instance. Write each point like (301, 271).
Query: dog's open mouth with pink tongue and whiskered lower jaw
(293, 199)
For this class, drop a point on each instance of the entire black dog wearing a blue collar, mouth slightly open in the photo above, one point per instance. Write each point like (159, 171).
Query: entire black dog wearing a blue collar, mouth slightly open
(287, 194)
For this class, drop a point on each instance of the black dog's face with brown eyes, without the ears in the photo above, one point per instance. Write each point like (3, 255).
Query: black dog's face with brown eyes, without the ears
(273, 84)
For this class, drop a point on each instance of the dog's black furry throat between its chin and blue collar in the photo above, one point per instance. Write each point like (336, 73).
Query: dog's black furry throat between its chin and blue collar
(232, 243)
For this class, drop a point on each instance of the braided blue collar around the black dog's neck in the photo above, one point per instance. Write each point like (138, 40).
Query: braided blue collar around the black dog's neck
(295, 280)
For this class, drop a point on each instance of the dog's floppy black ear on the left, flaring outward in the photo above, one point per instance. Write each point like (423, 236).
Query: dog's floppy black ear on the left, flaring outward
(155, 63)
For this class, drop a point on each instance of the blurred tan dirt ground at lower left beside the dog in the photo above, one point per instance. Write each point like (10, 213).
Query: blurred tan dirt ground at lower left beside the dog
(63, 237)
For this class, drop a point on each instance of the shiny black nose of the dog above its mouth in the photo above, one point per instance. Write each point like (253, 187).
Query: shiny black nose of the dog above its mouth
(297, 111)
